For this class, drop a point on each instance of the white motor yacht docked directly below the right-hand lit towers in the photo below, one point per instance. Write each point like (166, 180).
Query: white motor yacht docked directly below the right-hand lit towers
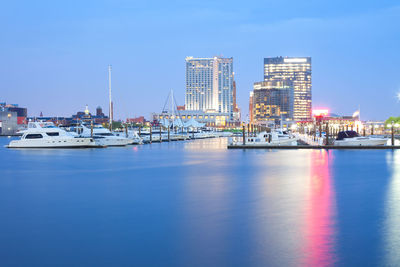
(267, 139)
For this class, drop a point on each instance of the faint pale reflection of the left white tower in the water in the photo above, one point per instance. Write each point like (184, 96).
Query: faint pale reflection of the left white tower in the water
(207, 205)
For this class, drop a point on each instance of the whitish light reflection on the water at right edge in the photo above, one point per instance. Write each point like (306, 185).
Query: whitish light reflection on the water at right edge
(391, 229)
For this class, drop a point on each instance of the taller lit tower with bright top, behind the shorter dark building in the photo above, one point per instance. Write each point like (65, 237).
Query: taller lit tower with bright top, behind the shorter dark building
(297, 70)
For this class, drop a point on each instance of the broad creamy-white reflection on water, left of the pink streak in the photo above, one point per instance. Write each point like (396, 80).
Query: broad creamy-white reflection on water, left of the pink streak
(279, 194)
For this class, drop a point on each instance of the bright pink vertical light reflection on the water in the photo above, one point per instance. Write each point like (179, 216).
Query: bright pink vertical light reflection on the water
(320, 214)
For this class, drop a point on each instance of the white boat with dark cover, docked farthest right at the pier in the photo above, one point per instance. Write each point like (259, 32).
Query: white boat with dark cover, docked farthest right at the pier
(352, 138)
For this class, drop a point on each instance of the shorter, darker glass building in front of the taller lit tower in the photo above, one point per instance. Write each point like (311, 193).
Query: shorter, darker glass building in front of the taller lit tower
(272, 101)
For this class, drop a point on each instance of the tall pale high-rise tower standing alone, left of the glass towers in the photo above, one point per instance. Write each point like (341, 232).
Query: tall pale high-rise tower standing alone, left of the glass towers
(209, 84)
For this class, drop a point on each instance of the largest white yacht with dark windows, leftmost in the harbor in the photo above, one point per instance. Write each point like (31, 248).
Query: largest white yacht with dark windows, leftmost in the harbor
(47, 135)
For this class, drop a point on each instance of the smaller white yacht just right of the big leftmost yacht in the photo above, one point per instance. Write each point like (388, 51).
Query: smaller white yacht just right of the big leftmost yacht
(103, 136)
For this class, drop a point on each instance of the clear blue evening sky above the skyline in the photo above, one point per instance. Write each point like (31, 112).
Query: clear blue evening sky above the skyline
(54, 54)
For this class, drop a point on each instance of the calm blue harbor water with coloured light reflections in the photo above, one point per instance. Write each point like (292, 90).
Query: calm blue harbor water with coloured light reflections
(197, 204)
